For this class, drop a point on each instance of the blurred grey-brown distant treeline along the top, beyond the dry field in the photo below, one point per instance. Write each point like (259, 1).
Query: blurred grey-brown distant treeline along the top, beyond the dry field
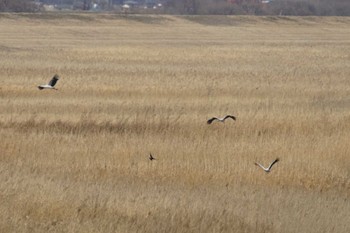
(203, 7)
